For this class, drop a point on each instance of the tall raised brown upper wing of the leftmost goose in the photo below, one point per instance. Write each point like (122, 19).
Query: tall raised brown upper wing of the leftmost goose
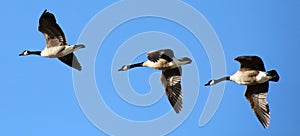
(52, 32)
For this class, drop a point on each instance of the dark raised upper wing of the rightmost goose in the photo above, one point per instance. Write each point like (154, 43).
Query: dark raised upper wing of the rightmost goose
(251, 62)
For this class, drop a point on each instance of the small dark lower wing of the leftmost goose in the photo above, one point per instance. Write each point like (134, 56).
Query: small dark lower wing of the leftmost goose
(71, 61)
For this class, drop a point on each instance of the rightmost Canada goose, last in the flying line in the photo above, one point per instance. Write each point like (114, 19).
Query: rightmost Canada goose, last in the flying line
(252, 73)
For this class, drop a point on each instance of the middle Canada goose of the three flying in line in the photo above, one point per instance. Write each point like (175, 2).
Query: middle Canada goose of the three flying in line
(171, 73)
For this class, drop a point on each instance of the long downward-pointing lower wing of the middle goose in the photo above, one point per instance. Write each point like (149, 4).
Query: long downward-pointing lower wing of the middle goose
(171, 80)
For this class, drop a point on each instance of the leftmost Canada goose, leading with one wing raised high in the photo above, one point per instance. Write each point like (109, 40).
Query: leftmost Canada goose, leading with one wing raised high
(56, 44)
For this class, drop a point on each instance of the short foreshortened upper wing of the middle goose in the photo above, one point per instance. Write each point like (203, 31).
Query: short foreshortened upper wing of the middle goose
(155, 55)
